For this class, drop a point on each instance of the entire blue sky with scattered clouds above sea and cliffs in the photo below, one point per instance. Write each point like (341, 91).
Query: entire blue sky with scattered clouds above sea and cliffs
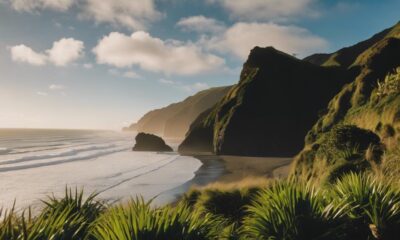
(102, 64)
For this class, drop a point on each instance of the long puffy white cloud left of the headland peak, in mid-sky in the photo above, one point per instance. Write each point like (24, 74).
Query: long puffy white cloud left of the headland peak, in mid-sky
(154, 54)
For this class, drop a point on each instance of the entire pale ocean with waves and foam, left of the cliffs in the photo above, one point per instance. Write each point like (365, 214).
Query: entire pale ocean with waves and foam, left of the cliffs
(35, 164)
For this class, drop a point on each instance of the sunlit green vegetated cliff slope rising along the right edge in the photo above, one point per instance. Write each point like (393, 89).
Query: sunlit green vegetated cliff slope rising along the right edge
(371, 102)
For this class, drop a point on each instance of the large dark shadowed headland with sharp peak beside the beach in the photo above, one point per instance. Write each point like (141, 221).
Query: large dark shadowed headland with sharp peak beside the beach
(270, 110)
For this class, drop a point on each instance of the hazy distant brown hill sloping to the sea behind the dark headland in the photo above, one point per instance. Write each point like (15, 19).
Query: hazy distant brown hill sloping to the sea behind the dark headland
(174, 120)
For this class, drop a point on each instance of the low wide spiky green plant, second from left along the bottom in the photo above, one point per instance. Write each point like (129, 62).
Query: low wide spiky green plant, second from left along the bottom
(138, 220)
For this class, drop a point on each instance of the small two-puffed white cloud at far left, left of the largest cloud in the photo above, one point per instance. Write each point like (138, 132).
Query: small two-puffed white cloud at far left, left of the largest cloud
(62, 53)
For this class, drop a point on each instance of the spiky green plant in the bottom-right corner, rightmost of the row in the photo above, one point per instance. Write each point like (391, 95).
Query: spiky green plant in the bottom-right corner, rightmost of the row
(372, 206)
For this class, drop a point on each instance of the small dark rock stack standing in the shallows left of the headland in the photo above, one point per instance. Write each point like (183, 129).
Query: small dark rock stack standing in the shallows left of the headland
(151, 143)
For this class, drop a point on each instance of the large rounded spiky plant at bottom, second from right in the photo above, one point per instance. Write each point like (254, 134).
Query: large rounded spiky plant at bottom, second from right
(289, 210)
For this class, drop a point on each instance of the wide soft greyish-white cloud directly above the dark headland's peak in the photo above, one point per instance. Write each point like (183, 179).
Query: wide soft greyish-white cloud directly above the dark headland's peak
(240, 38)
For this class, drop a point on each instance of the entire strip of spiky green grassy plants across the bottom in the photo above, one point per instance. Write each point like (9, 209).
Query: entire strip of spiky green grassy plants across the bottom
(356, 206)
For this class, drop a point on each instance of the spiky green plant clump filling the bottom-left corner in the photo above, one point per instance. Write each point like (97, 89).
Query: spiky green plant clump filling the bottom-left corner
(67, 218)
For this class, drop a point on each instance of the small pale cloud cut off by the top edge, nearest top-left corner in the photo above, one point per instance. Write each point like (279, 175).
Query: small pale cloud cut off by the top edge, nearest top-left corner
(33, 5)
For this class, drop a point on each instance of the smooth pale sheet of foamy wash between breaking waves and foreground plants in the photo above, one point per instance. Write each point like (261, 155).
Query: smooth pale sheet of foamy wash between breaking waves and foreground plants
(118, 176)
